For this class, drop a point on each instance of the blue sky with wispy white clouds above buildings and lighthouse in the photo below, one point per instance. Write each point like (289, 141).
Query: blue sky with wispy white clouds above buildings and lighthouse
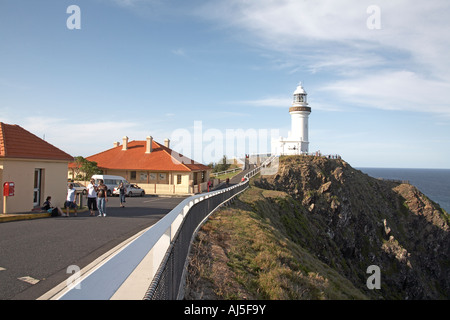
(379, 97)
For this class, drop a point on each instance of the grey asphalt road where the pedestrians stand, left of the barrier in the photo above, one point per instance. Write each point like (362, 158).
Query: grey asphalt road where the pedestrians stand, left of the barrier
(43, 249)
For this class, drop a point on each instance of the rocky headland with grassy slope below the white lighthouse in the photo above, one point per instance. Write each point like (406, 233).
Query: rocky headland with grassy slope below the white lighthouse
(327, 223)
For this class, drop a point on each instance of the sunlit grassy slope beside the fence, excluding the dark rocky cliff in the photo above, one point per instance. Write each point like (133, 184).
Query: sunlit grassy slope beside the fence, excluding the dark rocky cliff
(257, 261)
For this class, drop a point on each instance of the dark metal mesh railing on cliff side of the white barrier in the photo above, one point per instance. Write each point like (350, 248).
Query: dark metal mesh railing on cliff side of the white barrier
(168, 282)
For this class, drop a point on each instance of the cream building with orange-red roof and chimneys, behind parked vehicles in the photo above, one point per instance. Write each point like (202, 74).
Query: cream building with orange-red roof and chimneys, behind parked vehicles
(154, 167)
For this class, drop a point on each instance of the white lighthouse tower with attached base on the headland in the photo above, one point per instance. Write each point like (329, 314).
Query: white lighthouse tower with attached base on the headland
(297, 141)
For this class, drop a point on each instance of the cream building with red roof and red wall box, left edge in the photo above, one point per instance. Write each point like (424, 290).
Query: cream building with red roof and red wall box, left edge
(37, 168)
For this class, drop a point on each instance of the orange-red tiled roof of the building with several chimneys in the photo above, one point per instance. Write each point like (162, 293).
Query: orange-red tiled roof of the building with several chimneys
(135, 158)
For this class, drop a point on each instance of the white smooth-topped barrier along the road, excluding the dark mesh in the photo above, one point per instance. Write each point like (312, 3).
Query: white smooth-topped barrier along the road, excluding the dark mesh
(126, 271)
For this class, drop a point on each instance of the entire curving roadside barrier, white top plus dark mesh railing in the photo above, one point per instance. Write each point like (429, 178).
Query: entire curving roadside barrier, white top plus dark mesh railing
(159, 252)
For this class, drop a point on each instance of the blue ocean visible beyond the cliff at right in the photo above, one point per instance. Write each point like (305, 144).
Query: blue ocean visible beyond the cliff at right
(434, 183)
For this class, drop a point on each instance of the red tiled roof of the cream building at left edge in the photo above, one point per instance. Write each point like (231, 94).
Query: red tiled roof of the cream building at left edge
(16, 142)
